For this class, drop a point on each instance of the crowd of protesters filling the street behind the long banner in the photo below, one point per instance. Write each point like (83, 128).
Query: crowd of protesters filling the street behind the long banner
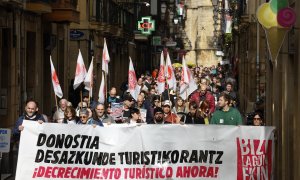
(214, 102)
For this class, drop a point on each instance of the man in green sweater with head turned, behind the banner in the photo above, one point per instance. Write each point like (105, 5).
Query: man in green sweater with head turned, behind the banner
(226, 115)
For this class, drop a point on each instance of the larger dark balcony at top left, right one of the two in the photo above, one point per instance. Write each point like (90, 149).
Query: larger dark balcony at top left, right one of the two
(63, 11)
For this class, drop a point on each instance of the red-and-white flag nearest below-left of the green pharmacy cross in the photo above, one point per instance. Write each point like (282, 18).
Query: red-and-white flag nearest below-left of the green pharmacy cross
(132, 82)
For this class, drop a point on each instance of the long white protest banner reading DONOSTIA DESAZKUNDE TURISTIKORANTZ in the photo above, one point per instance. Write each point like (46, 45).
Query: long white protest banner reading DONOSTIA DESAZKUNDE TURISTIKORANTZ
(66, 151)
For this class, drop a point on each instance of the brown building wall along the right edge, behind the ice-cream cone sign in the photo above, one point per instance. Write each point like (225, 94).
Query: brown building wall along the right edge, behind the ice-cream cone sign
(281, 80)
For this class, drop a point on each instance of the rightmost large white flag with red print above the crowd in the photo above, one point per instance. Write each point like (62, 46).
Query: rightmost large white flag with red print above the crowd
(187, 82)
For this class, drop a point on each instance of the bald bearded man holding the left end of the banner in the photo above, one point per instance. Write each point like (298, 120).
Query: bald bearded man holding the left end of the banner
(30, 113)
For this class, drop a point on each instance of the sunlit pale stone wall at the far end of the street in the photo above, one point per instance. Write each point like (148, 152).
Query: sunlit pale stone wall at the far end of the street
(199, 29)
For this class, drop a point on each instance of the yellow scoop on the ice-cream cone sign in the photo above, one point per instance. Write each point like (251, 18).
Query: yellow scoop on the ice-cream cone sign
(266, 16)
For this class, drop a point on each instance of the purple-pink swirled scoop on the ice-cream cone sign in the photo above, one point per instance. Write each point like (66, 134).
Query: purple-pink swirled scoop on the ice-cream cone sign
(286, 17)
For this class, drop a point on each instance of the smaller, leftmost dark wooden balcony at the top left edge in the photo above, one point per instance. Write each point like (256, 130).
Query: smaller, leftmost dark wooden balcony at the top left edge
(38, 6)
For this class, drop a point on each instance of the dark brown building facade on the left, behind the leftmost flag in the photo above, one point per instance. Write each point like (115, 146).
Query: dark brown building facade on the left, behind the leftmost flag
(28, 38)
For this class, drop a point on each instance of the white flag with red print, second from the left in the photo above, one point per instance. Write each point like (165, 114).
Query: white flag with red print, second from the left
(80, 71)
